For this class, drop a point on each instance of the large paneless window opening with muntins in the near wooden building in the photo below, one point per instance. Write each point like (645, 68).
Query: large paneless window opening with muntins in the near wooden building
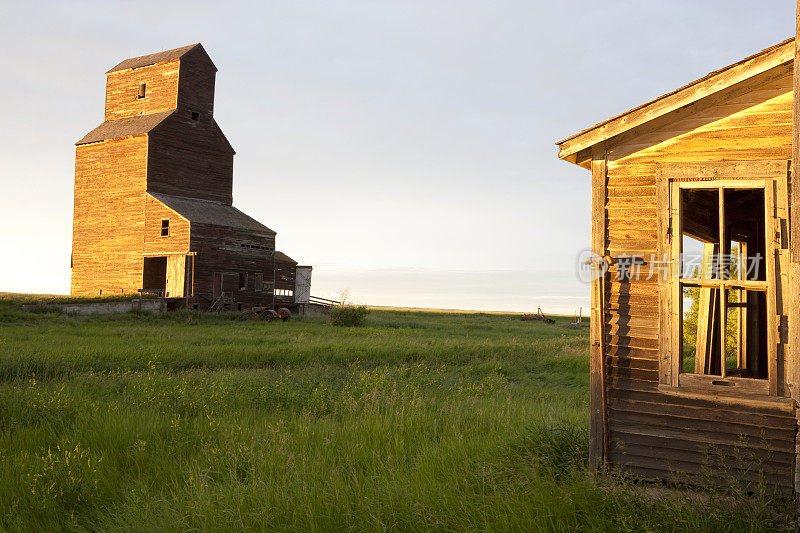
(723, 282)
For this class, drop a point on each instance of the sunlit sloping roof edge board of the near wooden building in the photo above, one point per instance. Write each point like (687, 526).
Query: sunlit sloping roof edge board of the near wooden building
(711, 83)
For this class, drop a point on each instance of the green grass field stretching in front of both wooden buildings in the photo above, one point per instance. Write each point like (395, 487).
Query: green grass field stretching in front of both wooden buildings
(416, 421)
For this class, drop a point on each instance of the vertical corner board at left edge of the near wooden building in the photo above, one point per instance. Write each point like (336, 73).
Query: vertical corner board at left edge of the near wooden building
(598, 432)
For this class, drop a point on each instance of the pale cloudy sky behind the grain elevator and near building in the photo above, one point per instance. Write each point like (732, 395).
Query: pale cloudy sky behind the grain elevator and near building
(403, 148)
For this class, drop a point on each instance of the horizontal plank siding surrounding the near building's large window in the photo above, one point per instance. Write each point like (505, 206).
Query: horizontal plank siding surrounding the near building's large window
(657, 434)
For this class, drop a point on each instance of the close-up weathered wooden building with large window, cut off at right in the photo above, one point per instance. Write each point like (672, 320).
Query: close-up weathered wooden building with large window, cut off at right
(695, 342)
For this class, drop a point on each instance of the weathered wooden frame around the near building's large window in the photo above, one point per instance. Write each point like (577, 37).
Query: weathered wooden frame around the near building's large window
(672, 179)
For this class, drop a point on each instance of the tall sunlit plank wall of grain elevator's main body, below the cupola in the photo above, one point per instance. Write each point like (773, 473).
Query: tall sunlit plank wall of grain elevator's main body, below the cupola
(108, 223)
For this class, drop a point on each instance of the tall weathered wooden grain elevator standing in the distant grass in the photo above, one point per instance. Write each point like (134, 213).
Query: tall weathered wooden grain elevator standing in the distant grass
(154, 192)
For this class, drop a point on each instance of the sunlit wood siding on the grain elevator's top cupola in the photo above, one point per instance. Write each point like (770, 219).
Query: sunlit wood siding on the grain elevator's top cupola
(122, 90)
